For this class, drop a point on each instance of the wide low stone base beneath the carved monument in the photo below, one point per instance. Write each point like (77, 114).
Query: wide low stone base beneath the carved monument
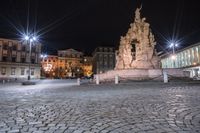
(140, 74)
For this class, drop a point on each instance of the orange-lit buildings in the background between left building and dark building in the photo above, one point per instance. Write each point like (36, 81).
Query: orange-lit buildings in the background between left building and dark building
(68, 63)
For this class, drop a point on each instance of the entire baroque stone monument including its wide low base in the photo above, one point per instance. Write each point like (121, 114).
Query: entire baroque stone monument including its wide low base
(137, 58)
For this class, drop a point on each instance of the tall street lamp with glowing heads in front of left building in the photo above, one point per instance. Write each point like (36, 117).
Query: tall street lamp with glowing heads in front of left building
(30, 39)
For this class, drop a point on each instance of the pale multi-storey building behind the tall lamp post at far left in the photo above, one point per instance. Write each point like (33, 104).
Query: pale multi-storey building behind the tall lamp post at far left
(15, 59)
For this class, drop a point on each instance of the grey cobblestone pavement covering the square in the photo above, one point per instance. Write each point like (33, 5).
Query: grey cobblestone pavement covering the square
(125, 108)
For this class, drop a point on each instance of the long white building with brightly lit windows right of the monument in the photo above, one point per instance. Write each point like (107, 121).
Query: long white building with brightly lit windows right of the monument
(187, 58)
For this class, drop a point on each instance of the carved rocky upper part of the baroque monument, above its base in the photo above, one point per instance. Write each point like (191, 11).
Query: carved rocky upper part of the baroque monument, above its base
(137, 47)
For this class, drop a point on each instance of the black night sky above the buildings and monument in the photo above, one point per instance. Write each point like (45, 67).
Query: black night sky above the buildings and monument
(86, 24)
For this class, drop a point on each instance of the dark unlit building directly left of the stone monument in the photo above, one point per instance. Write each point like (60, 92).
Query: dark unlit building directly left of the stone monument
(103, 59)
